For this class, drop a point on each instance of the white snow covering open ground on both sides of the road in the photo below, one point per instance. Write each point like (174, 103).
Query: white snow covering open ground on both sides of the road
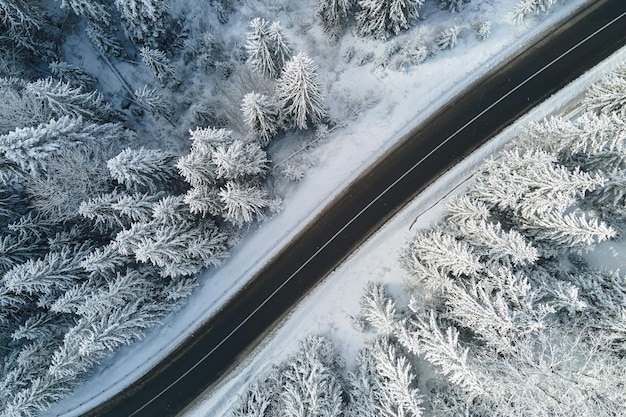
(401, 101)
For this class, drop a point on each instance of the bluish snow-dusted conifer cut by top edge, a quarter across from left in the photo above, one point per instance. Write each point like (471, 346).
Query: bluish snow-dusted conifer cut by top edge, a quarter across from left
(145, 21)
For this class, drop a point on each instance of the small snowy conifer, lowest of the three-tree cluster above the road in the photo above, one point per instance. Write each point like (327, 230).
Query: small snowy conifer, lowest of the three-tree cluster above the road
(261, 115)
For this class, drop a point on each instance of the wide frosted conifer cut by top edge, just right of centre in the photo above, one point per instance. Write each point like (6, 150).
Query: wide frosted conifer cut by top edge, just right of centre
(381, 18)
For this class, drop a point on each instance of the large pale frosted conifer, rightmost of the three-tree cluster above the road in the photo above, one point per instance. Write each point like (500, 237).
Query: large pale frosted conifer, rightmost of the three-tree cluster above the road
(299, 93)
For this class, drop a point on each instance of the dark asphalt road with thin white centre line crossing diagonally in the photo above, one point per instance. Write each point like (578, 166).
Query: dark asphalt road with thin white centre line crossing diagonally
(468, 121)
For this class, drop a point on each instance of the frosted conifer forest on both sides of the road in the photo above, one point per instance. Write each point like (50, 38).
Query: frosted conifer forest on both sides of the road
(140, 143)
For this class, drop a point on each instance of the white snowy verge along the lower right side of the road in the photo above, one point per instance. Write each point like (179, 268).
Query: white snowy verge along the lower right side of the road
(329, 308)
